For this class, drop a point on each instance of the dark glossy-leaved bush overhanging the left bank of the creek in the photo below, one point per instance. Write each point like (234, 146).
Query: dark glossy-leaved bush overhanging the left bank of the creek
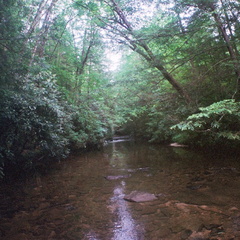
(33, 119)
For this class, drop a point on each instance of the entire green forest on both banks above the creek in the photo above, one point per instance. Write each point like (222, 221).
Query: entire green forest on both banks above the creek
(76, 72)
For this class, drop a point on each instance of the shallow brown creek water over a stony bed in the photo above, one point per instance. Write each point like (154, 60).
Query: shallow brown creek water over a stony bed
(198, 197)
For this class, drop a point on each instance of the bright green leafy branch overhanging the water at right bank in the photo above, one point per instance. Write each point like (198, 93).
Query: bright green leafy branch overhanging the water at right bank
(218, 123)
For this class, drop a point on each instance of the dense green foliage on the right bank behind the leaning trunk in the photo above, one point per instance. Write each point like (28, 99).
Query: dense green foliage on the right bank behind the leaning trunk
(196, 42)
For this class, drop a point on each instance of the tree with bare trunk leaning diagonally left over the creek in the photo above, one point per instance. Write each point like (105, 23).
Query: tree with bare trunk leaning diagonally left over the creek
(114, 20)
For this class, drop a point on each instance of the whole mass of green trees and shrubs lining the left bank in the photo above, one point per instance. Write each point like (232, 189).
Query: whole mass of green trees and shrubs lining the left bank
(47, 106)
